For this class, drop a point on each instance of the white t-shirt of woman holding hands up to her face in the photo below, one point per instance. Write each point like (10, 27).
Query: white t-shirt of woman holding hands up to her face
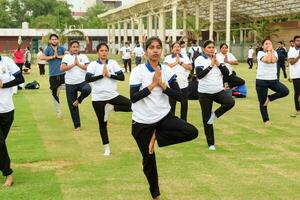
(266, 71)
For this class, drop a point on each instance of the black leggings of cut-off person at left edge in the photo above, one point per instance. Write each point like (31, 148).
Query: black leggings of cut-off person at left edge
(6, 120)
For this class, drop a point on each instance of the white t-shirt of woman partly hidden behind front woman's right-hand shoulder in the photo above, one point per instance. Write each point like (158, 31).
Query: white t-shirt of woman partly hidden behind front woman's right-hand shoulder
(180, 71)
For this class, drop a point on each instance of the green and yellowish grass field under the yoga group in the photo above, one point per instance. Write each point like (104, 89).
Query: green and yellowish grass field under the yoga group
(252, 161)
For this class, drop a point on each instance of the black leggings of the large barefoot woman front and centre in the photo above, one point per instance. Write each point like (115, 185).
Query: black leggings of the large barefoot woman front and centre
(169, 130)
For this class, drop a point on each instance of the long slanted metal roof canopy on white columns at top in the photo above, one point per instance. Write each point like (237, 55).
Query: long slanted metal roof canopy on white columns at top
(241, 10)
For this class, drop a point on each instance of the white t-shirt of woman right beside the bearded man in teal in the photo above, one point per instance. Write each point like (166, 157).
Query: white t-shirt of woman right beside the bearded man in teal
(75, 75)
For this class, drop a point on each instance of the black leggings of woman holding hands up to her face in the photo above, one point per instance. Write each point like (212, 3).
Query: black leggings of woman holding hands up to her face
(262, 87)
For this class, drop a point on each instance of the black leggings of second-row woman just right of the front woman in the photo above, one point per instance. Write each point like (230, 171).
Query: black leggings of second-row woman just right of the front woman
(206, 103)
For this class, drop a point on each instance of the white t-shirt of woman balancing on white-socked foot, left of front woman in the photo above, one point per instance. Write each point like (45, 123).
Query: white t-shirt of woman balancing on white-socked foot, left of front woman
(105, 88)
